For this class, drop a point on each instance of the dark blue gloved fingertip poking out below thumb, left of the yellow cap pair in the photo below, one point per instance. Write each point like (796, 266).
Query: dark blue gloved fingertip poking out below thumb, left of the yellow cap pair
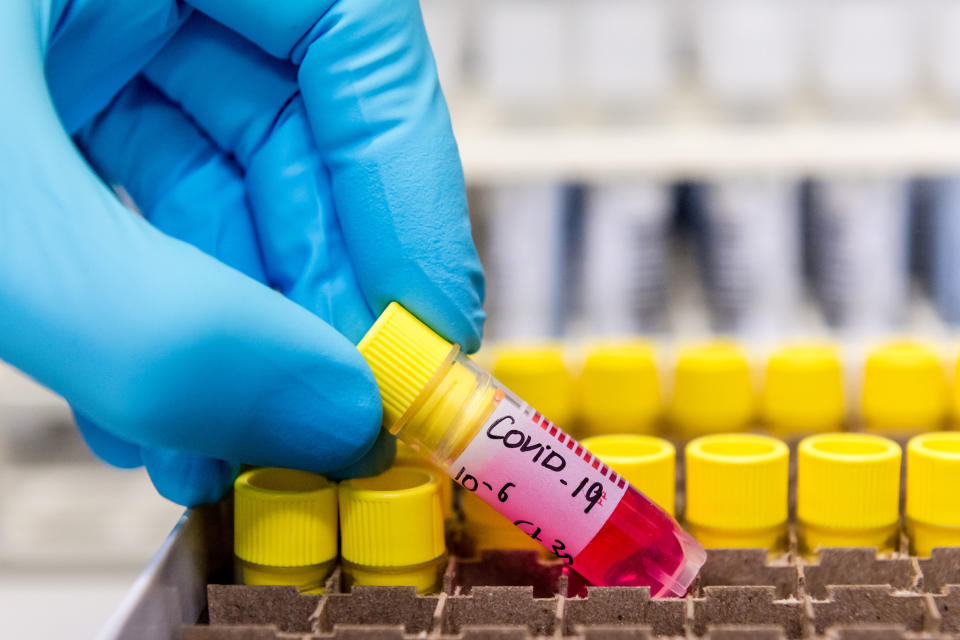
(186, 478)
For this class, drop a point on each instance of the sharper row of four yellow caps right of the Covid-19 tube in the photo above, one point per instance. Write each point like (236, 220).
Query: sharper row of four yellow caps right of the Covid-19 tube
(848, 488)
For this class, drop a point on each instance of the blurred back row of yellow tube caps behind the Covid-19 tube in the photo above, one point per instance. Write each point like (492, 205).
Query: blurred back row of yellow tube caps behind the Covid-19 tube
(903, 388)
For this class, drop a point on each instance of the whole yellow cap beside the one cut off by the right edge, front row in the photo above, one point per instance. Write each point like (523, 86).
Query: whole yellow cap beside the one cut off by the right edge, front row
(848, 481)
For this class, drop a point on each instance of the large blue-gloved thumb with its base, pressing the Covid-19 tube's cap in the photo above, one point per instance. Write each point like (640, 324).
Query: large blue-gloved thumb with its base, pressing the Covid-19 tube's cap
(149, 338)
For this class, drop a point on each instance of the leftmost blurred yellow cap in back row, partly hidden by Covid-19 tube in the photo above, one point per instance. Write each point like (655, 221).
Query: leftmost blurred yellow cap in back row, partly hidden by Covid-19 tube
(538, 374)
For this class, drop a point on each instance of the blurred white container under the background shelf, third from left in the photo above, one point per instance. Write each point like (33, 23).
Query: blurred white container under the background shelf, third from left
(751, 250)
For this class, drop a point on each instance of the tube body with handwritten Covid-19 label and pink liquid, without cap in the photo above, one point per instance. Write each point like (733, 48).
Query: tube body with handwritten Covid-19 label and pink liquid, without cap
(567, 499)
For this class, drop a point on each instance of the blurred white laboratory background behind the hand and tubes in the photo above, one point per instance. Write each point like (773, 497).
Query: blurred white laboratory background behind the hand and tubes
(760, 168)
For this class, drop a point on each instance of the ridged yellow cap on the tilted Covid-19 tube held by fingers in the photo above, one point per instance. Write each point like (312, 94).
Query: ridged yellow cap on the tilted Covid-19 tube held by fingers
(404, 354)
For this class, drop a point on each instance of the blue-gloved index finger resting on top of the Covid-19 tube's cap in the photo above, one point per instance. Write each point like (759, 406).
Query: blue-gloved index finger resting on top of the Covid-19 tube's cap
(370, 88)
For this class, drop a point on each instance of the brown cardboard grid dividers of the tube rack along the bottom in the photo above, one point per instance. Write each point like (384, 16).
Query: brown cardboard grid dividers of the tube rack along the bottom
(845, 594)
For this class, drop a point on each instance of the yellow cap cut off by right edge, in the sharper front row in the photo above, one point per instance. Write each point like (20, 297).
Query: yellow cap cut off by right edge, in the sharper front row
(933, 502)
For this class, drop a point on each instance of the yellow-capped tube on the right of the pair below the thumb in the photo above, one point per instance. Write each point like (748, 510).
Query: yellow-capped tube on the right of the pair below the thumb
(391, 528)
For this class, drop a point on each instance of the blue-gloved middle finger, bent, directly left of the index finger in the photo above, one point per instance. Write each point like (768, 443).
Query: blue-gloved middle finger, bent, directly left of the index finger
(249, 104)
